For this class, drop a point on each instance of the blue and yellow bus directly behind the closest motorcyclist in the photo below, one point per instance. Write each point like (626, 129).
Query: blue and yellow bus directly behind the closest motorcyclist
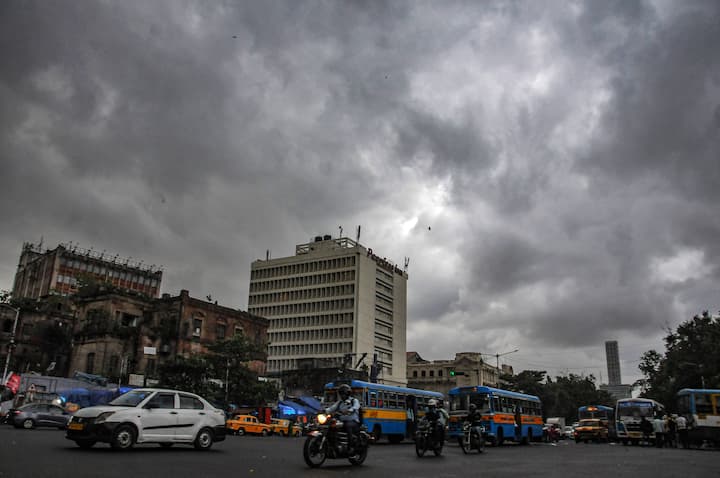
(386, 410)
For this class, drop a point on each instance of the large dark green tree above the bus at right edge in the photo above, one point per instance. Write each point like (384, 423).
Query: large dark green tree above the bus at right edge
(692, 357)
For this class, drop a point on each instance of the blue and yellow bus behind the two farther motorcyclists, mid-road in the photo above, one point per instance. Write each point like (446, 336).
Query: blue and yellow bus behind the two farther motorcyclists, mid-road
(501, 411)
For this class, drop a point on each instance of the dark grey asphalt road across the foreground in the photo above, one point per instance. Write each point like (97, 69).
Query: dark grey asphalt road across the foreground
(46, 453)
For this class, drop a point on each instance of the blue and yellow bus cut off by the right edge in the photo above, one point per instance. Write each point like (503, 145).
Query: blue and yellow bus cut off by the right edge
(701, 409)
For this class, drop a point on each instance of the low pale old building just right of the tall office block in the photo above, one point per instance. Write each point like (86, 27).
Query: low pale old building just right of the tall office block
(468, 368)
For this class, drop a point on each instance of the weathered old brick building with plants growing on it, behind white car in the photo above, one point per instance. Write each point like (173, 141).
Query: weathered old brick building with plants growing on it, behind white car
(118, 334)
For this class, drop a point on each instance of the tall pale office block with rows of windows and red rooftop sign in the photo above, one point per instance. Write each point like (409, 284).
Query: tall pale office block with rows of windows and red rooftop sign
(334, 300)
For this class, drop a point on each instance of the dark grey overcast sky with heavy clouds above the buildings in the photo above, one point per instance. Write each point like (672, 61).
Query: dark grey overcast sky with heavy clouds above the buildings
(551, 169)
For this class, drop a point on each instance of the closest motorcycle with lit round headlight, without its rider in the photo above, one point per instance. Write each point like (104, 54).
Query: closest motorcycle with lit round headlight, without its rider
(327, 439)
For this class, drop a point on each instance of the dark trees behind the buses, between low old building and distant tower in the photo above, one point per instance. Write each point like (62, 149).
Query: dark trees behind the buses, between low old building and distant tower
(562, 397)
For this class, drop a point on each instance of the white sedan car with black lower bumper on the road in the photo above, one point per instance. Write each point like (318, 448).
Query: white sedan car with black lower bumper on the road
(149, 415)
